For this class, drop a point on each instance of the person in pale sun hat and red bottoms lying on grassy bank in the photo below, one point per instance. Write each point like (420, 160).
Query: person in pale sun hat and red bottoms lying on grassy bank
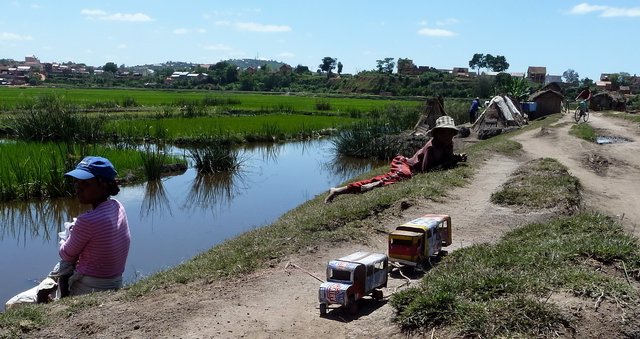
(437, 153)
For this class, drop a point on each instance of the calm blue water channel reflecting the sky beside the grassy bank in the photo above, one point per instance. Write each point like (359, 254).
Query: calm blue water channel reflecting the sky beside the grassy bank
(180, 216)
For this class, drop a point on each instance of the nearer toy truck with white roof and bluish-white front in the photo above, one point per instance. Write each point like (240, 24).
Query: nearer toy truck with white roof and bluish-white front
(352, 277)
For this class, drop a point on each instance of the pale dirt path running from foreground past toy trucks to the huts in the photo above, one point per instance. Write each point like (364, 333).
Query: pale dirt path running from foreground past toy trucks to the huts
(282, 301)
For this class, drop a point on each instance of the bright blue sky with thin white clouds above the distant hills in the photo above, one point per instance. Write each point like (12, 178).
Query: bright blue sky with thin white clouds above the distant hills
(589, 37)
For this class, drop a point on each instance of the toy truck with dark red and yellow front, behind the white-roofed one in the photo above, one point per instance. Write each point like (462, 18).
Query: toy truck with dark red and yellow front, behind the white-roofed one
(414, 242)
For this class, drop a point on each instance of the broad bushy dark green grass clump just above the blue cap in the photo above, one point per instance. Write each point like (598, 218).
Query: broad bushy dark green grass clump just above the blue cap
(51, 118)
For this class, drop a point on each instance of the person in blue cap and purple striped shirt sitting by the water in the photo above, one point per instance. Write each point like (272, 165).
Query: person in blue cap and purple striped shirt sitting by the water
(98, 240)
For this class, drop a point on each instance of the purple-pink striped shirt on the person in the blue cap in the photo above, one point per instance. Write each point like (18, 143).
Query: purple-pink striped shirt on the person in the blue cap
(99, 241)
